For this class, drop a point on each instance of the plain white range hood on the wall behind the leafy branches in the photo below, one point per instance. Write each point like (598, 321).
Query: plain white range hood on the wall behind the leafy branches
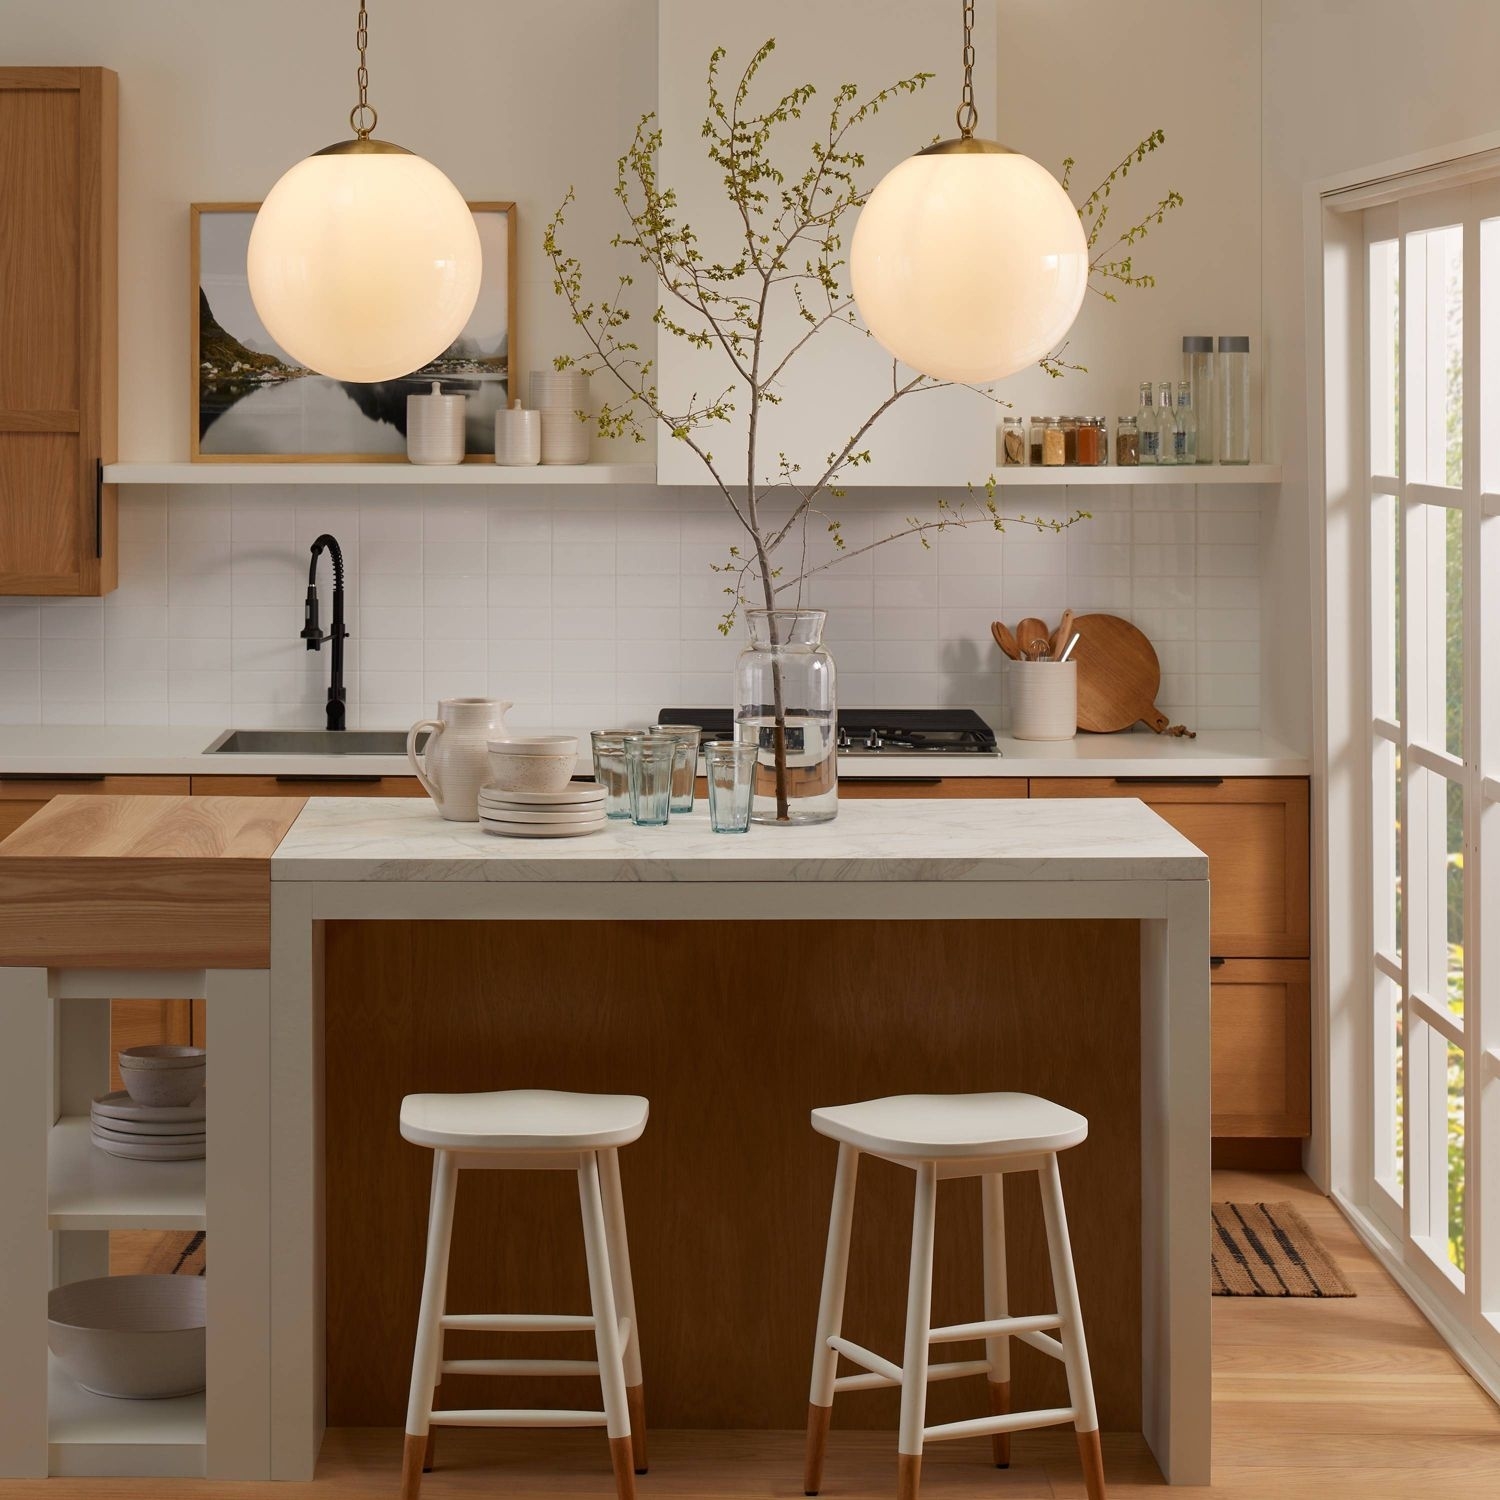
(842, 376)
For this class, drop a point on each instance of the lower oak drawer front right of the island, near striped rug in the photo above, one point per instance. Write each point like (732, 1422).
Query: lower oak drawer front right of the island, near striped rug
(1262, 1048)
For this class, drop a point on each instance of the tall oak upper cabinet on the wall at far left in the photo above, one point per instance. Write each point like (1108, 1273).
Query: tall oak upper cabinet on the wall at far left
(58, 329)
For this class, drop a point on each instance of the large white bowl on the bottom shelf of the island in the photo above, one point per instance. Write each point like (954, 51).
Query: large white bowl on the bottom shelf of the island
(134, 1337)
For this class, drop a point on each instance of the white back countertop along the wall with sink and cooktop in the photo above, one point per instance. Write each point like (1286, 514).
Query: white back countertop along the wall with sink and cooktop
(179, 751)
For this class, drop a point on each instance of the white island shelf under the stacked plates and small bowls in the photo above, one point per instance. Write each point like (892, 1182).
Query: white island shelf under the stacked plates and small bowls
(89, 1189)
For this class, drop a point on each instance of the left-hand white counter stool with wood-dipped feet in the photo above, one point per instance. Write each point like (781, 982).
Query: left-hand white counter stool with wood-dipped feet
(532, 1130)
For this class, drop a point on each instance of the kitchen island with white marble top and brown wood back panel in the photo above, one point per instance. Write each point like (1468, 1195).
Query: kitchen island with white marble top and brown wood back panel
(1057, 946)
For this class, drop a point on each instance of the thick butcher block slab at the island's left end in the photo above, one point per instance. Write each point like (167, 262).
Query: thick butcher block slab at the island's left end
(143, 883)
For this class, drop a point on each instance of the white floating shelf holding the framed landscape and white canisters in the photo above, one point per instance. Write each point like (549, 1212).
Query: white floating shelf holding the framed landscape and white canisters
(479, 475)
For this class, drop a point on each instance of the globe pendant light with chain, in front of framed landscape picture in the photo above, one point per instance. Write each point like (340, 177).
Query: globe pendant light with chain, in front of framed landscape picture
(364, 262)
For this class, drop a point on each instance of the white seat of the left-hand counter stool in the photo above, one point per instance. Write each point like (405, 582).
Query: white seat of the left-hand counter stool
(523, 1120)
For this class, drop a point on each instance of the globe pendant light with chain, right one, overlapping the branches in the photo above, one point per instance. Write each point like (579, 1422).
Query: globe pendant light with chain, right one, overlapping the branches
(968, 260)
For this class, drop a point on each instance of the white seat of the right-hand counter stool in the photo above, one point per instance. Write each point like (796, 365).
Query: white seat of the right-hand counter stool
(935, 1127)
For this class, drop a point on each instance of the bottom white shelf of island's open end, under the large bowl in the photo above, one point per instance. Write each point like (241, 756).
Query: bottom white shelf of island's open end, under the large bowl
(101, 1438)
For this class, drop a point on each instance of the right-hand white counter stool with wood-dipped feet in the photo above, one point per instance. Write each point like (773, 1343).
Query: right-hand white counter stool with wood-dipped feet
(955, 1136)
